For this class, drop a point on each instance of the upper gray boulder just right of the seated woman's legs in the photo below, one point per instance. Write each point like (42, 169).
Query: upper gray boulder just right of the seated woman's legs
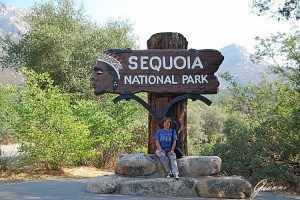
(198, 166)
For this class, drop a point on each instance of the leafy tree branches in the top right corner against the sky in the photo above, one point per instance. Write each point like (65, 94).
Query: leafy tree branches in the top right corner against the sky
(283, 9)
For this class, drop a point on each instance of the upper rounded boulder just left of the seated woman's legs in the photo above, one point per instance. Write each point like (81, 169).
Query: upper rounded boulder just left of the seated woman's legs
(138, 164)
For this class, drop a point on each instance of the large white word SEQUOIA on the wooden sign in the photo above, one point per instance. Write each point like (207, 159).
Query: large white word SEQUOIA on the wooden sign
(156, 63)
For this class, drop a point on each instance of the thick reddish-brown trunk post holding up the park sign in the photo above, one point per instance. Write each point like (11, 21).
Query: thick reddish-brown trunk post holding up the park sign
(167, 40)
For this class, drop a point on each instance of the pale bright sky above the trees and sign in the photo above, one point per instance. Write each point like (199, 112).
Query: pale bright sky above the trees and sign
(206, 24)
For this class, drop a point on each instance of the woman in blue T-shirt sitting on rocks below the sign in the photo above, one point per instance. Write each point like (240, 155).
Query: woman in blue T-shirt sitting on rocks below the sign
(166, 144)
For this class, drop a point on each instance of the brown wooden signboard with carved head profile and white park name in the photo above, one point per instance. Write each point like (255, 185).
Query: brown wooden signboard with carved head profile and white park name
(174, 71)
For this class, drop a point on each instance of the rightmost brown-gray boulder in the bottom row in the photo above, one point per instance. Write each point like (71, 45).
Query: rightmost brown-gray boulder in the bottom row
(233, 187)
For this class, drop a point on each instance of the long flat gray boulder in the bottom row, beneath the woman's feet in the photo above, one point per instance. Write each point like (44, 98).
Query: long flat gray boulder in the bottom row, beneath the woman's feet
(164, 187)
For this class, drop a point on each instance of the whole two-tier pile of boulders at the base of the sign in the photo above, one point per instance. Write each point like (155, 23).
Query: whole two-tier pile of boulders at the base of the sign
(141, 175)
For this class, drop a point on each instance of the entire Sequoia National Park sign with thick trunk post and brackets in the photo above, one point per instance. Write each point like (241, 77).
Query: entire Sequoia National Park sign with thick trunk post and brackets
(170, 74)
